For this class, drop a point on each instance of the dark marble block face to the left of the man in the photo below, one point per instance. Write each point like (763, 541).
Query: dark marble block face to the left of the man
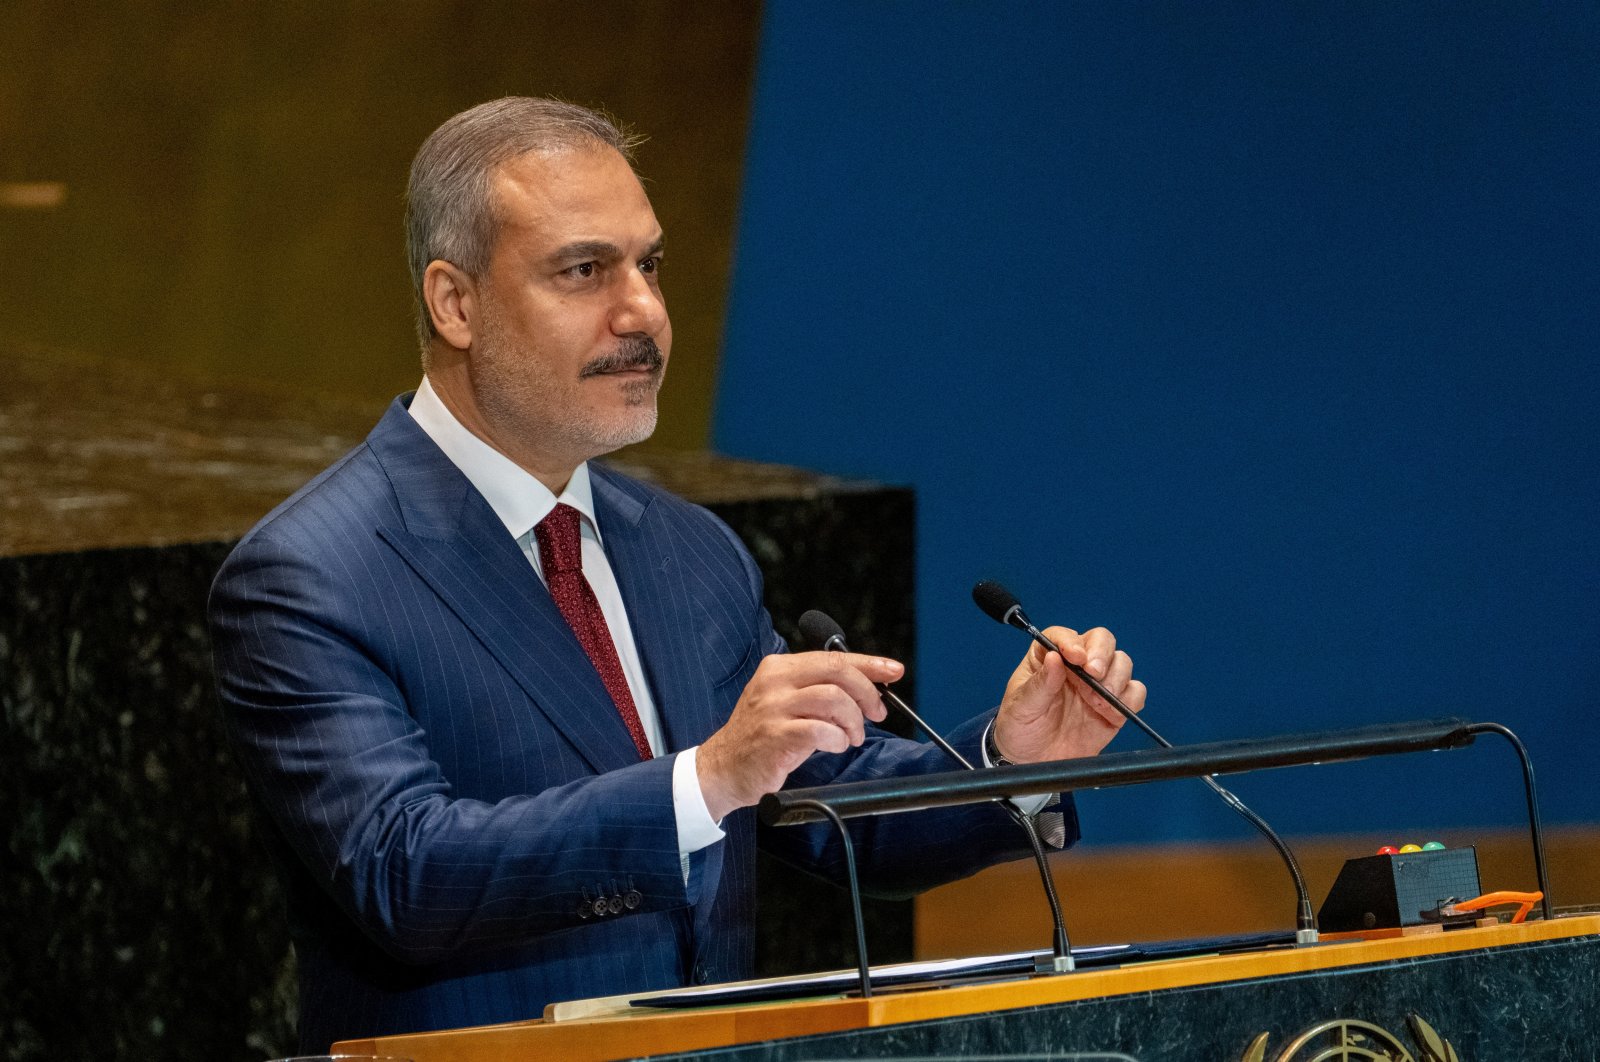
(140, 916)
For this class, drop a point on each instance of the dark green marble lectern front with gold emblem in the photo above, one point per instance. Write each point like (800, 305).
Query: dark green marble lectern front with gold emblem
(1510, 1004)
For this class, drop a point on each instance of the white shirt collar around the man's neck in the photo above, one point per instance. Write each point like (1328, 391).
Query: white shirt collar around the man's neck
(516, 497)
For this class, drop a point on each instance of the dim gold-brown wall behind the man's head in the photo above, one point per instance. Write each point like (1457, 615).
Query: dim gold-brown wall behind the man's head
(217, 190)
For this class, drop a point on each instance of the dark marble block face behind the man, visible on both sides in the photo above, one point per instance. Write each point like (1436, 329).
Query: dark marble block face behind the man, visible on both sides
(142, 917)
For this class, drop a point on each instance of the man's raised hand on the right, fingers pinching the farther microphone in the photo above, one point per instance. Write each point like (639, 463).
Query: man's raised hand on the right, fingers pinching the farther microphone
(1050, 714)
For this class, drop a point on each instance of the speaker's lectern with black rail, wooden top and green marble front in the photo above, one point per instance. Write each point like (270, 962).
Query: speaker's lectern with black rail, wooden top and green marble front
(1481, 991)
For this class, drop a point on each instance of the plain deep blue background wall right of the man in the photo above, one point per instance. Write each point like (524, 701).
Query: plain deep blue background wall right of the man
(1263, 335)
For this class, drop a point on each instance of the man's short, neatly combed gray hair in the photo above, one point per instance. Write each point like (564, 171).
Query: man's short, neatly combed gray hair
(450, 209)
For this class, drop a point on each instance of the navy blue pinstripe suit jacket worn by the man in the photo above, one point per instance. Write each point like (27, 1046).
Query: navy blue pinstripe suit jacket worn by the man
(446, 778)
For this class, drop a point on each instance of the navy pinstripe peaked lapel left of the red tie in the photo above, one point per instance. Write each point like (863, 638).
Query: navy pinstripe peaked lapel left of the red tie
(455, 543)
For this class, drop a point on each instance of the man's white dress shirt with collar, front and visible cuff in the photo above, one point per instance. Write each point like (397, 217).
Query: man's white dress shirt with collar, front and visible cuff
(522, 501)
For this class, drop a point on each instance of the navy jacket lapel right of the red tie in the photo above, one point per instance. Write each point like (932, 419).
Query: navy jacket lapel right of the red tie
(649, 559)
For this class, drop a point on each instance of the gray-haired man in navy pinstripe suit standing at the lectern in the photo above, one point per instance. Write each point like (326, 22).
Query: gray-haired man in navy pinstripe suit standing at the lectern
(508, 713)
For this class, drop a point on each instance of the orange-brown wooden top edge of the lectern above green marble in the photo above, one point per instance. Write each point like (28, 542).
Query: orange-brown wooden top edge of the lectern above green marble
(662, 1032)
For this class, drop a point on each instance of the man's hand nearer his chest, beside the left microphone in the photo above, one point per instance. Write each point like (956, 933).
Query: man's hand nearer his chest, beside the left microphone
(794, 705)
